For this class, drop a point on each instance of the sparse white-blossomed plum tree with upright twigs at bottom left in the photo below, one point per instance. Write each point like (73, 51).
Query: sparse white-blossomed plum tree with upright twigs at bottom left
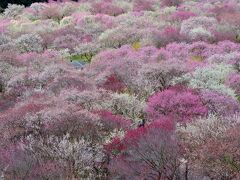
(79, 158)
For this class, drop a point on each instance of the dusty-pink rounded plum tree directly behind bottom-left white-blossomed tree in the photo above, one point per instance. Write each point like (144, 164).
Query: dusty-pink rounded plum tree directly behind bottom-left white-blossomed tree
(81, 123)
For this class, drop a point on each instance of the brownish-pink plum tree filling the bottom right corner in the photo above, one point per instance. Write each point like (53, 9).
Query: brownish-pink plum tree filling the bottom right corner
(226, 150)
